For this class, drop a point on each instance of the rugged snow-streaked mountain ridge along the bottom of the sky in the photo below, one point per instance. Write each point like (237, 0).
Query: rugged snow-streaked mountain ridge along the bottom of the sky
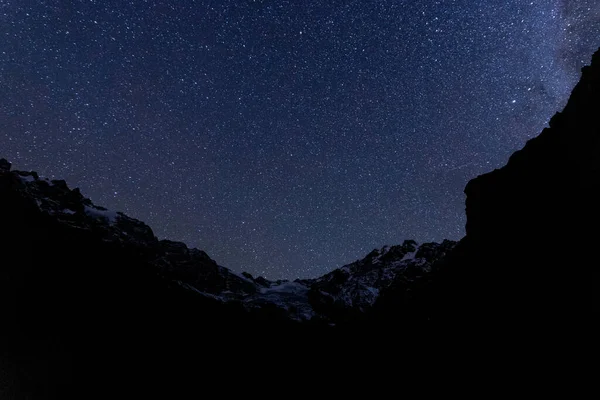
(353, 288)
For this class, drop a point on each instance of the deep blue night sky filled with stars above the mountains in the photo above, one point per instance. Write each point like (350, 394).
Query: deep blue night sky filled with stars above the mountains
(284, 138)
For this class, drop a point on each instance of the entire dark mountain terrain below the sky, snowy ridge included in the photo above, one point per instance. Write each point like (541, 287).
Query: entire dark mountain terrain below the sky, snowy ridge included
(94, 305)
